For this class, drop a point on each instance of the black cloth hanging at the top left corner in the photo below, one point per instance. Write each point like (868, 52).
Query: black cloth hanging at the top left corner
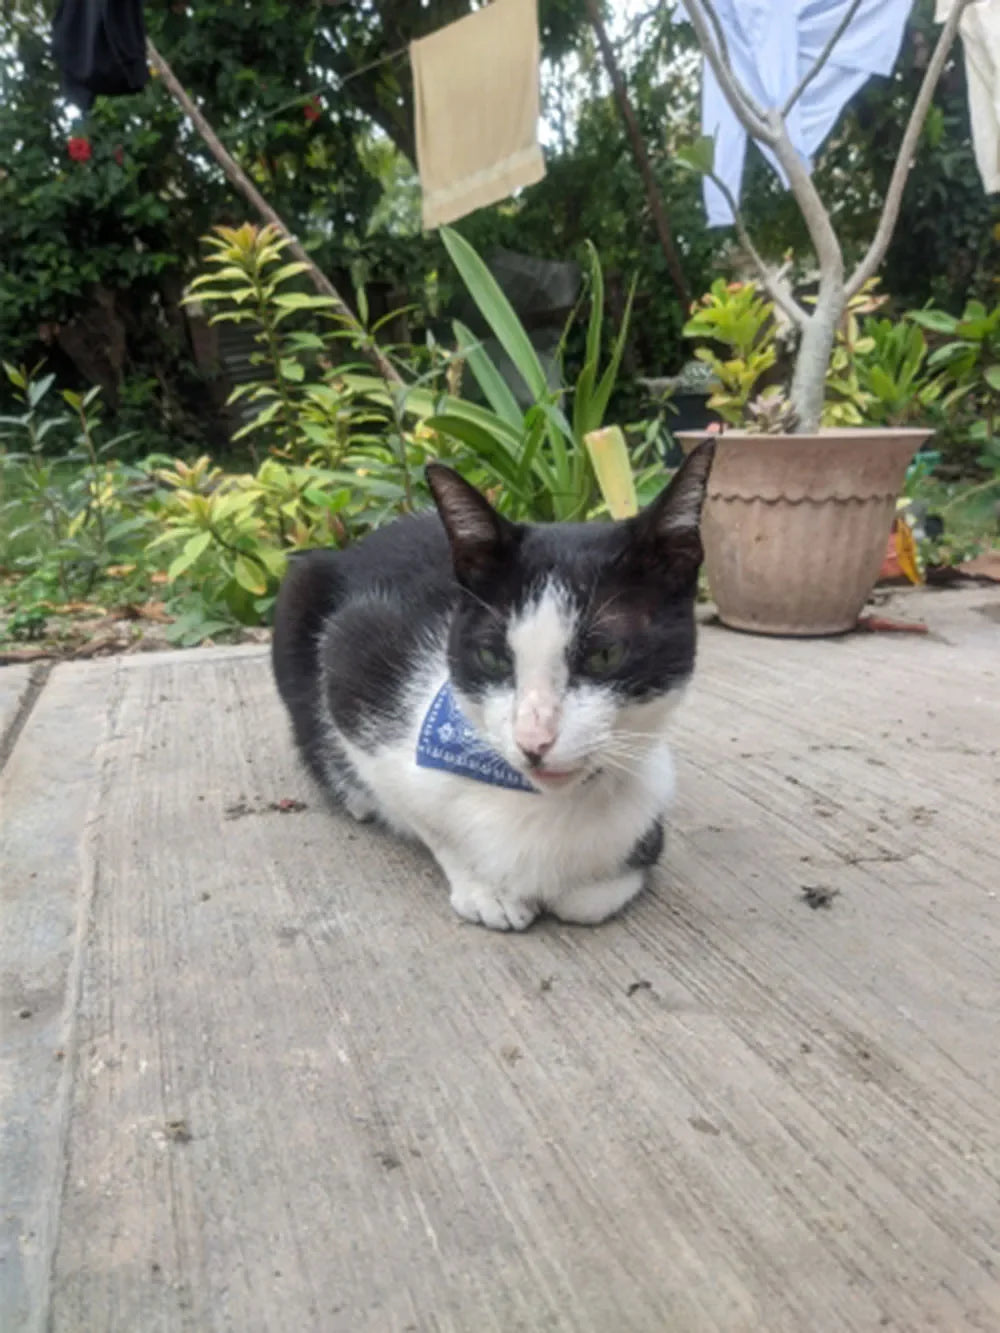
(101, 49)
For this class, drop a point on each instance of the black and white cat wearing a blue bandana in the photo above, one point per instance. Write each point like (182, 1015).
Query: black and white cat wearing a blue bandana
(501, 691)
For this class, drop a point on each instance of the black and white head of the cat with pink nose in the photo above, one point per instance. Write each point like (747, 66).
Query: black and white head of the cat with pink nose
(571, 642)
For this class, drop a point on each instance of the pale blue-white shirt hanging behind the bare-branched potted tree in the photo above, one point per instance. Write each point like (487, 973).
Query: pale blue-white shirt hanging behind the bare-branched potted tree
(773, 45)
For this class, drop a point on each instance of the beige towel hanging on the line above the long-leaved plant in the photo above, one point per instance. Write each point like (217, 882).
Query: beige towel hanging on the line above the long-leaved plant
(477, 110)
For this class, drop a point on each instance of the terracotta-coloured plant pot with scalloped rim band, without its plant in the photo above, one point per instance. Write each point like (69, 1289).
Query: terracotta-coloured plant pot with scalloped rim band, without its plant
(795, 526)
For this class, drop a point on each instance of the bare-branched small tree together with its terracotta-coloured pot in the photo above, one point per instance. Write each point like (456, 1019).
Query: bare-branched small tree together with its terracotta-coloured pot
(798, 515)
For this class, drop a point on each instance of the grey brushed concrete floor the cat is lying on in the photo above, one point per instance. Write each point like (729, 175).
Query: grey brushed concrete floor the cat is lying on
(258, 1076)
